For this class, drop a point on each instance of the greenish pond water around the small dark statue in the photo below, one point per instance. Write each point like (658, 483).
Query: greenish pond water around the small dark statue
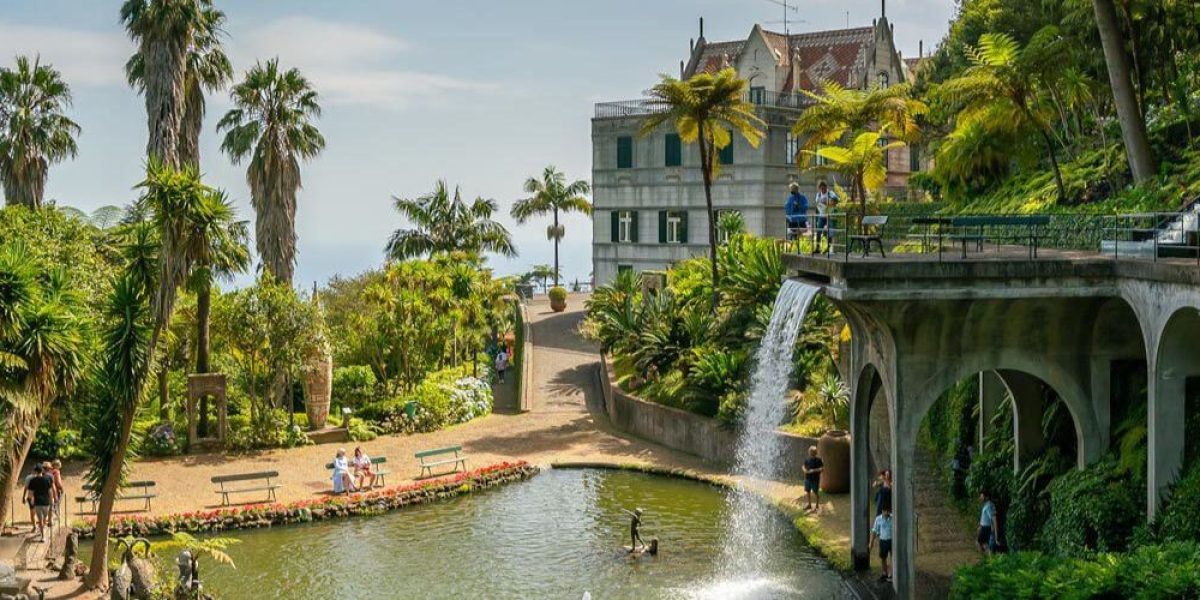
(555, 537)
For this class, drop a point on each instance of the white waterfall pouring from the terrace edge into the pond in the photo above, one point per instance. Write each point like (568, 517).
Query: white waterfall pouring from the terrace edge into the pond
(759, 454)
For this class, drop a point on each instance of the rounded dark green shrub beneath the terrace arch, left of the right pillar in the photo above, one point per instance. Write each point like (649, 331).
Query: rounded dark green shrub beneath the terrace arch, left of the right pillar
(1094, 511)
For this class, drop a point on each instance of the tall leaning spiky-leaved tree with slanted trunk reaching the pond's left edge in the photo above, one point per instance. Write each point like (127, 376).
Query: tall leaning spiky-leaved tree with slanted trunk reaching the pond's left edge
(178, 208)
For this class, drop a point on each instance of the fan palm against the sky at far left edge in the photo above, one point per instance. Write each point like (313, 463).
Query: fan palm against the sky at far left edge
(35, 131)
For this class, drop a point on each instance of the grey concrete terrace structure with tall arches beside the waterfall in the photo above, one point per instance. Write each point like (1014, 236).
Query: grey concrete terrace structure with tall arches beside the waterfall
(1064, 321)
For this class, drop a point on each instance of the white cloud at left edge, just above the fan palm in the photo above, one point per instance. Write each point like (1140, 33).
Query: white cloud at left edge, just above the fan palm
(86, 58)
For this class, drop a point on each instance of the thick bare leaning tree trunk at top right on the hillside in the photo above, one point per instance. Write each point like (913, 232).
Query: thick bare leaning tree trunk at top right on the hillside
(1133, 127)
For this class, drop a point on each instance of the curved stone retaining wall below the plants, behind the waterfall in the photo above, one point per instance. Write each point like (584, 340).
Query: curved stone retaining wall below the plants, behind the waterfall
(681, 430)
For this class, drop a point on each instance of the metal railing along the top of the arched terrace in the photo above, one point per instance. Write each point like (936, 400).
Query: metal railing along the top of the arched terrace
(1145, 237)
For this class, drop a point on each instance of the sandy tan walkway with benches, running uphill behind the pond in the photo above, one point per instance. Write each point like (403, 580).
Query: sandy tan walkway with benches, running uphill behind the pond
(560, 429)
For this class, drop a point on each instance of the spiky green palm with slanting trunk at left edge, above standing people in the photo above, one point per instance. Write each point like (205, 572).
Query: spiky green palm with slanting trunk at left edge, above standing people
(43, 347)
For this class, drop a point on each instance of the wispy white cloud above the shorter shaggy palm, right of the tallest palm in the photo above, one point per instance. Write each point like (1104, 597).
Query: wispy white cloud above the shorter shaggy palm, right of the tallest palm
(349, 64)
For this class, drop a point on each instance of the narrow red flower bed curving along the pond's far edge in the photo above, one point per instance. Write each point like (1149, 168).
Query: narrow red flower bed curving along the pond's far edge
(315, 509)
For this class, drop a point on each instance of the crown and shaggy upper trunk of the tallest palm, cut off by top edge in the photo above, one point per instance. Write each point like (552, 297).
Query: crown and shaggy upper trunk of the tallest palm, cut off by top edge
(165, 32)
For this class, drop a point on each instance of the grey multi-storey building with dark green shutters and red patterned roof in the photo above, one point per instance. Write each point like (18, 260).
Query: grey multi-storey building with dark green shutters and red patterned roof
(649, 193)
